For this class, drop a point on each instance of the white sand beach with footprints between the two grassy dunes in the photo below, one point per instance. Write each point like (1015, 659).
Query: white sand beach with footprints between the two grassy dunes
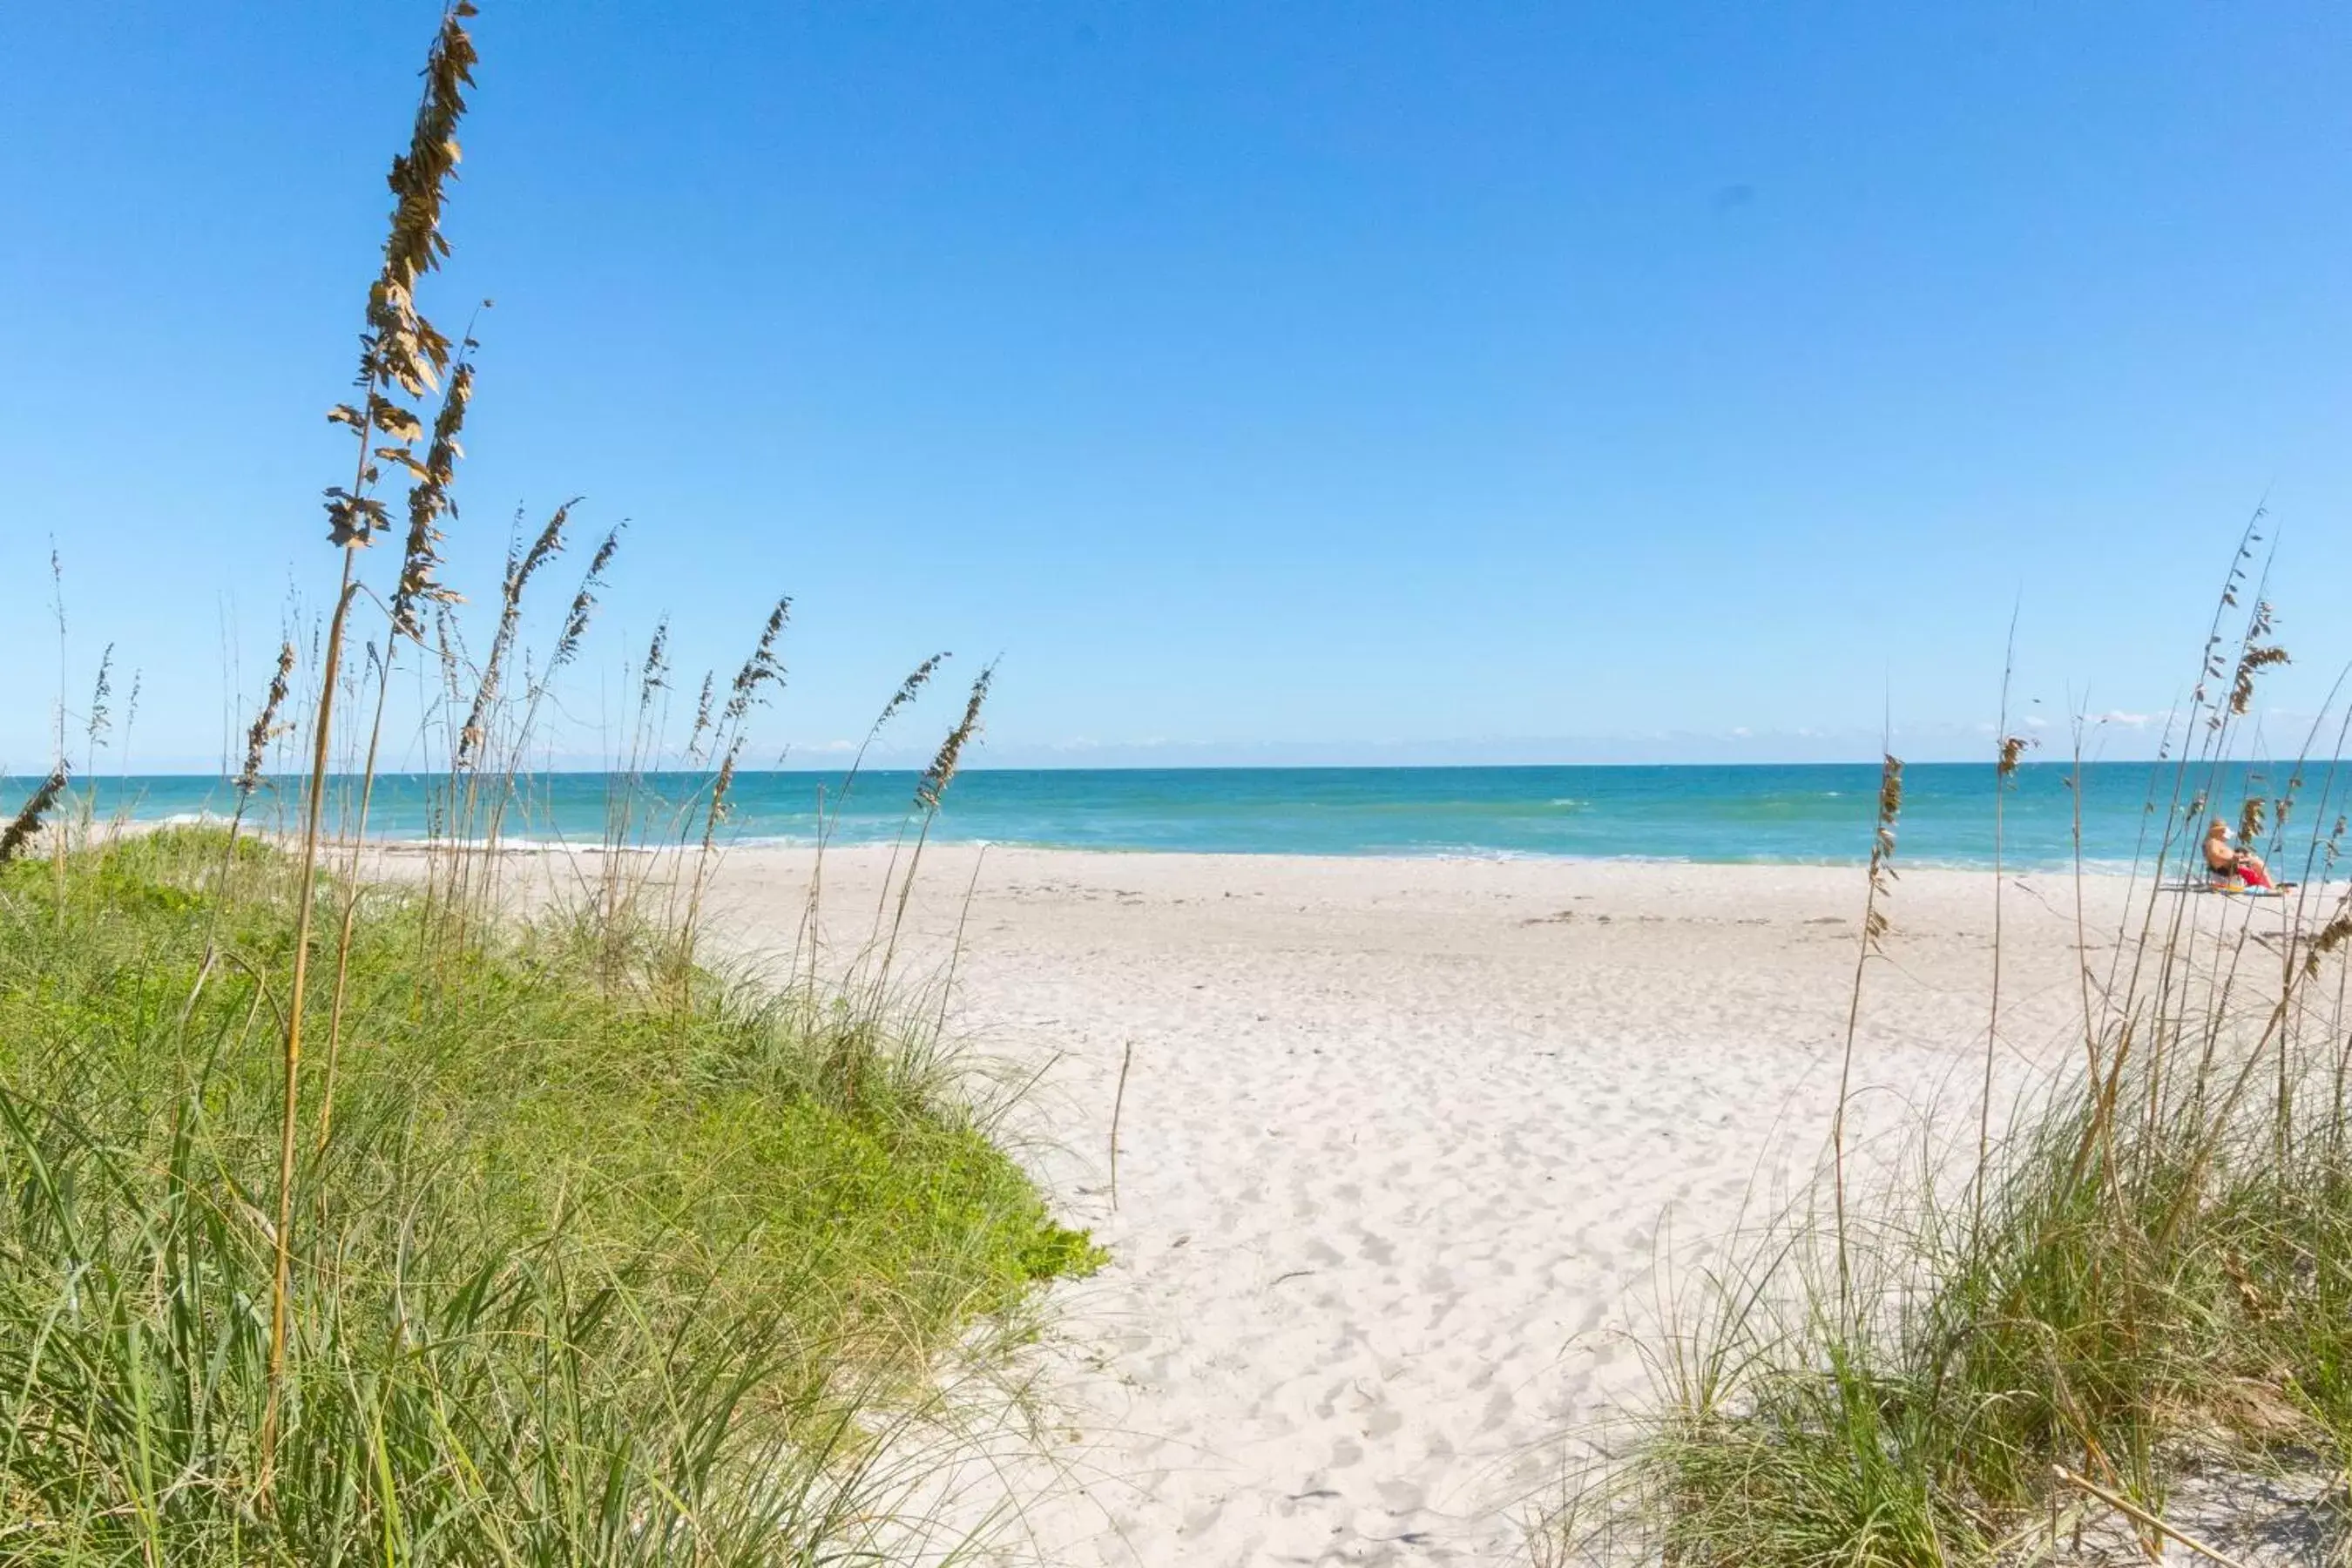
(1403, 1144)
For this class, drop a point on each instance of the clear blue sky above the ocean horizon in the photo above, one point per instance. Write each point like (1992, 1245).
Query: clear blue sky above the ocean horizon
(1347, 382)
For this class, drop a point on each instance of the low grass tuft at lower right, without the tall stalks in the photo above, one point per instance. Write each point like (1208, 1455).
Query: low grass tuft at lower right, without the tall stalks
(2196, 1311)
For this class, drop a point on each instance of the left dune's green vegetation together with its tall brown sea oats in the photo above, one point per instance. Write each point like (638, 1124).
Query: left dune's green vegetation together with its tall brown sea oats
(361, 1217)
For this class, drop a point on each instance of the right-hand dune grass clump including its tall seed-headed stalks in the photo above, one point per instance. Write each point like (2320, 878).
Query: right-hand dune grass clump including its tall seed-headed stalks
(2014, 1336)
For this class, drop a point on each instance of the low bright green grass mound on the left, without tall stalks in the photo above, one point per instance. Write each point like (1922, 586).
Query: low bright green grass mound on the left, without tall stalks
(582, 1273)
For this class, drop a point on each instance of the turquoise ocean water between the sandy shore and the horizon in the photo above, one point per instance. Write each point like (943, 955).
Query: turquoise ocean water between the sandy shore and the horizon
(1775, 815)
